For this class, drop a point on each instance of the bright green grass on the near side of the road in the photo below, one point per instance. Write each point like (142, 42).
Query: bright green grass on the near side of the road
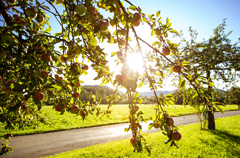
(195, 143)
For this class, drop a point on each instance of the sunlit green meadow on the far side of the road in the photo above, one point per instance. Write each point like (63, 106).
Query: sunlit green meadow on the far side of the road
(56, 122)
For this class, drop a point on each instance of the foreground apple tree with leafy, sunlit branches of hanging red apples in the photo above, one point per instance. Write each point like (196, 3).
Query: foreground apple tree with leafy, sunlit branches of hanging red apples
(36, 64)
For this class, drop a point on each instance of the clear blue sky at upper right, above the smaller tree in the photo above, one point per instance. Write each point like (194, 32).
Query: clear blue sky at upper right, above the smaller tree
(202, 15)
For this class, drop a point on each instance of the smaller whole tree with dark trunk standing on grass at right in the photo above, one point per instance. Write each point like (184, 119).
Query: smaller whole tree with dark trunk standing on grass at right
(212, 59)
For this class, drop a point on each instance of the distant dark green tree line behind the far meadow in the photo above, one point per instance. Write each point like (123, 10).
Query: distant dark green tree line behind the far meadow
(101, 93)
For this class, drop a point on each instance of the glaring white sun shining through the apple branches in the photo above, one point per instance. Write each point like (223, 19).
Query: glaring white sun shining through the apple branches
(135, 62)
